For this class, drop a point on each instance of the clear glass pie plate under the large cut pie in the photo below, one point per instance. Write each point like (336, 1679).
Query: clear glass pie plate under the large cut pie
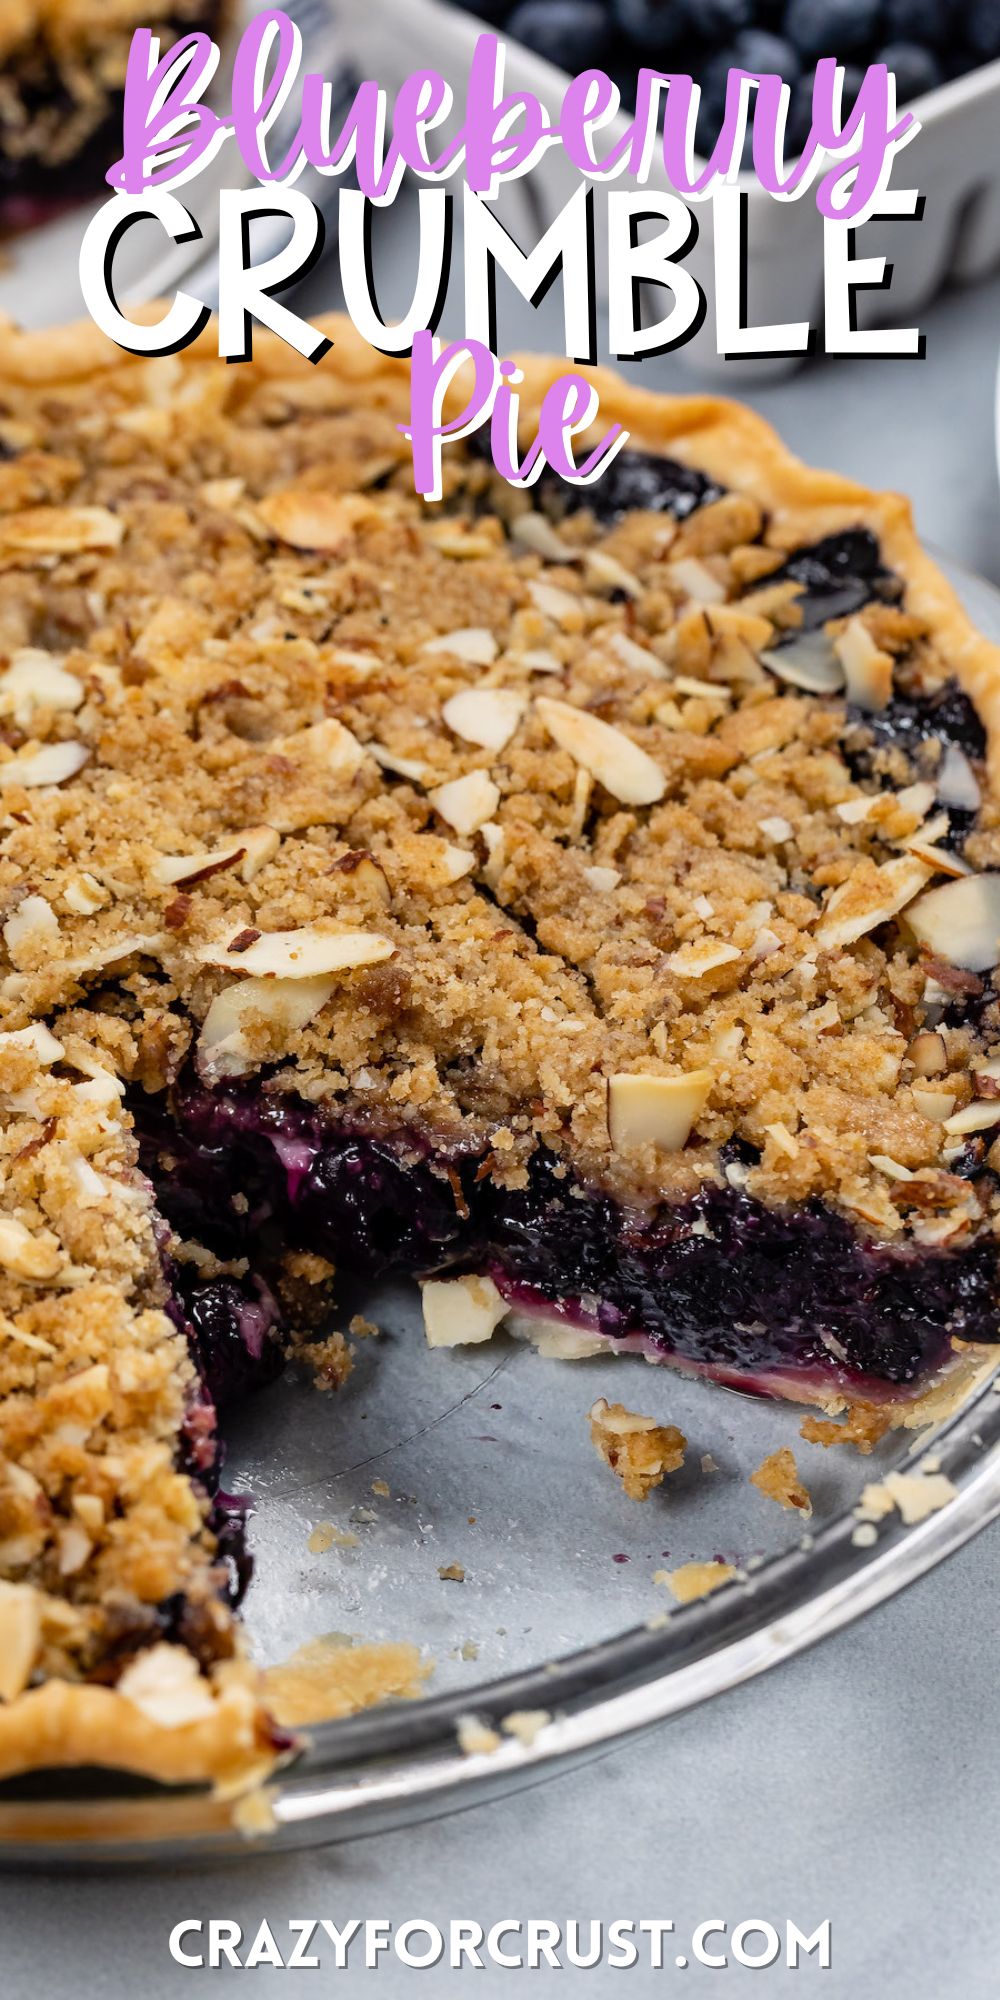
(479, 1459)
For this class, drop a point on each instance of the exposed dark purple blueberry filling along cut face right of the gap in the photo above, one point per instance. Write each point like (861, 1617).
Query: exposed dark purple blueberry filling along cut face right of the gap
(719, 1281)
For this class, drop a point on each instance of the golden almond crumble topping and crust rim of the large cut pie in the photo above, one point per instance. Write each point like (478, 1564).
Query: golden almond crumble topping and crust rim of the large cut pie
(233, 593)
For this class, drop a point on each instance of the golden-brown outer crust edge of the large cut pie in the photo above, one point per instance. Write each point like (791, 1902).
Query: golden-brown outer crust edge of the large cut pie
(81, 1725)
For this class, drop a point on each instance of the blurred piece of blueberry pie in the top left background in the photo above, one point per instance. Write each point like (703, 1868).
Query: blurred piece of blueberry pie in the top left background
(63, 67)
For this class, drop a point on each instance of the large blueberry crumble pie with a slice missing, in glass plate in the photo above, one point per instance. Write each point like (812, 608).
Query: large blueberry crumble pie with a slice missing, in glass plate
(583, 901)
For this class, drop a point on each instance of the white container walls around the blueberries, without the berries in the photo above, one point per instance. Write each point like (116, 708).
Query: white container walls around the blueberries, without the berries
(955, 161)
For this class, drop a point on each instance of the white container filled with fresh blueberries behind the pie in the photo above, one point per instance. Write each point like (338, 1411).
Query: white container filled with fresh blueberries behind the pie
(947, 67)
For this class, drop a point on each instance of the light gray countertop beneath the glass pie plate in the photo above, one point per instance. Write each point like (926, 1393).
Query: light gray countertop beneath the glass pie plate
(857, 1783)
